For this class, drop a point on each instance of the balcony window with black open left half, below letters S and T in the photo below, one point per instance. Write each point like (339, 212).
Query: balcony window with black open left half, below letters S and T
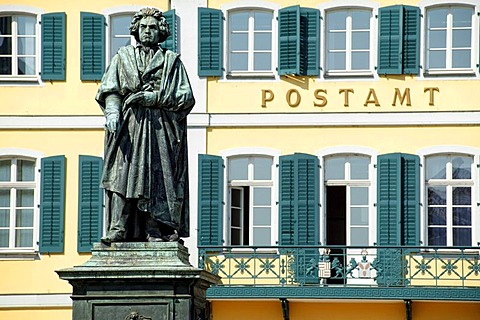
(347, 188)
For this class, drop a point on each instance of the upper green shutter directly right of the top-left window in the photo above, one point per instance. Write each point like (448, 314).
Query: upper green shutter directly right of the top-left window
(53, 46)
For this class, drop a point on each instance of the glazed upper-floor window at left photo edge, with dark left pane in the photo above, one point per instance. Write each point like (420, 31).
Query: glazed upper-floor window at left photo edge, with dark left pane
(18, 45)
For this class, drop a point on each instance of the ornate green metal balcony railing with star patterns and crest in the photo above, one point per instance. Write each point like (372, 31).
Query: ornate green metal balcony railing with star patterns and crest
(342, 266)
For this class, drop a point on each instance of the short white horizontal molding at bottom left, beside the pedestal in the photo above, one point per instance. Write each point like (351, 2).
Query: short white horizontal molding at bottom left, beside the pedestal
(35, 300)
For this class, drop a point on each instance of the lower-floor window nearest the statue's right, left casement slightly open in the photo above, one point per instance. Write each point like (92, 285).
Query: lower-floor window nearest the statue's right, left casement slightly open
(250, 200)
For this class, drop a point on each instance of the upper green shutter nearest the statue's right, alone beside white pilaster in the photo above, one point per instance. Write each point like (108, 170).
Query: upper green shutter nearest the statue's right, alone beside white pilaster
(210, 42)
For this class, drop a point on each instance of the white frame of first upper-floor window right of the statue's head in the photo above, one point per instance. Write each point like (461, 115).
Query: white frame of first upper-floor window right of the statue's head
(251, 5)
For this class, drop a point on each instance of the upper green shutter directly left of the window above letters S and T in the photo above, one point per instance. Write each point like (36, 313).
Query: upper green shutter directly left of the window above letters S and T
(309, 44)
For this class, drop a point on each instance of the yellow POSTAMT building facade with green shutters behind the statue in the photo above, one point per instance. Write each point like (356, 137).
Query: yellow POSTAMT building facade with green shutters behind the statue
(333, 153)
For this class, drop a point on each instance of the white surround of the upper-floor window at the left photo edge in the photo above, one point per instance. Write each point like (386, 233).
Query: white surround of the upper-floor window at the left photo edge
(16, 10)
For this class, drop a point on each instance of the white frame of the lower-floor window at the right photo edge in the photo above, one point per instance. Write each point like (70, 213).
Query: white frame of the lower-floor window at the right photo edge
(444, 151)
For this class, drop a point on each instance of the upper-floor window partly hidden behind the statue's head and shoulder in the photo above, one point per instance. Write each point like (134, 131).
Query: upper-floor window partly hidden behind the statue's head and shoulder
(119, 33)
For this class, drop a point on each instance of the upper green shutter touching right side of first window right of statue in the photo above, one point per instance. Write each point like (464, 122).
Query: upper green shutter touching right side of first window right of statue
(289, 40)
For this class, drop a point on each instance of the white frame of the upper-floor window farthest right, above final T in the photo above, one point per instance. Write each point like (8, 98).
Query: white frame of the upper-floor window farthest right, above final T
(449, 70)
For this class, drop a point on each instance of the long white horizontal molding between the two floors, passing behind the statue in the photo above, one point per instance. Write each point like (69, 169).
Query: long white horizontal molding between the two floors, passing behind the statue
(206, 120)
